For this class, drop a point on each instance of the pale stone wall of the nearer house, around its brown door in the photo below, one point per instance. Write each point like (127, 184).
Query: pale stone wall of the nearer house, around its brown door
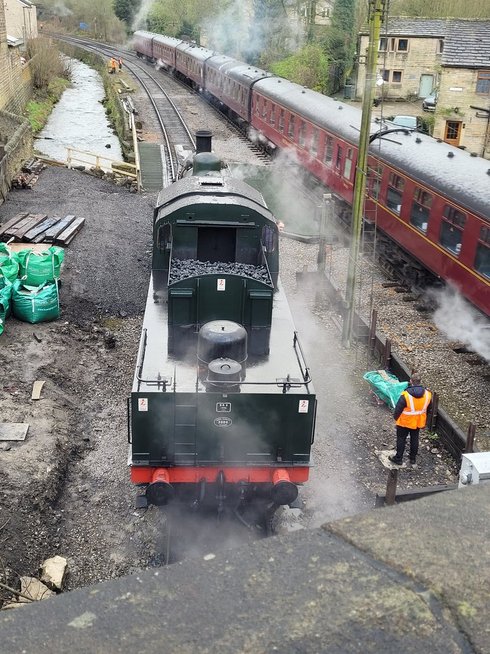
(457, 93)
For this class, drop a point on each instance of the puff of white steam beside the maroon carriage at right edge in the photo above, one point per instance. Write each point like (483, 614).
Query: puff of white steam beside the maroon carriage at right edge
(460, 322)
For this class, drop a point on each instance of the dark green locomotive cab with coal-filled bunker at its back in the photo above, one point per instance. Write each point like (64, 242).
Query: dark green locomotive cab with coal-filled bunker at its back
(215, 256)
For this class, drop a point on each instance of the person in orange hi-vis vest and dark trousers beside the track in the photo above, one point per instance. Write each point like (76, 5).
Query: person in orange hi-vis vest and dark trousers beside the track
(411, 416)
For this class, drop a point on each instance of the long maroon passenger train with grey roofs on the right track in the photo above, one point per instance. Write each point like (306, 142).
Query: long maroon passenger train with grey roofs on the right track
(431, 199)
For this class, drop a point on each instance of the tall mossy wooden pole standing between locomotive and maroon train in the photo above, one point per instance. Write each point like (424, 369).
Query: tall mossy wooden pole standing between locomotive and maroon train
(376, 13)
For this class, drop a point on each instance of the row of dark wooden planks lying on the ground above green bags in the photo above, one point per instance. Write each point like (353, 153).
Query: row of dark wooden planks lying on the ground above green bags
(39, 228)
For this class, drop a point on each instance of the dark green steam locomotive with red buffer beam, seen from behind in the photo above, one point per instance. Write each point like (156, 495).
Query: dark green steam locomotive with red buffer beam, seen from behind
(222, 409)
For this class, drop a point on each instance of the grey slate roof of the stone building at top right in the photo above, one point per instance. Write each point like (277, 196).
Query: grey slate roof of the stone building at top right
(466, 42)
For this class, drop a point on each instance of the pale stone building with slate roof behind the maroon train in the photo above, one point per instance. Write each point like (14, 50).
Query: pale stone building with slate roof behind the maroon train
(418, 55)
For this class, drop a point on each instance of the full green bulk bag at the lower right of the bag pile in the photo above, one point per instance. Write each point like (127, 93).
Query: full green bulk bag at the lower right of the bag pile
(35, 303)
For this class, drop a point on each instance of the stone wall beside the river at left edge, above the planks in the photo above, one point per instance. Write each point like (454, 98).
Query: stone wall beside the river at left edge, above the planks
(16, 137)
